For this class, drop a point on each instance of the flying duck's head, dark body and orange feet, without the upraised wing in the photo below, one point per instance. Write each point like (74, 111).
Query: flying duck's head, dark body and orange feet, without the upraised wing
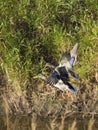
(59, 78)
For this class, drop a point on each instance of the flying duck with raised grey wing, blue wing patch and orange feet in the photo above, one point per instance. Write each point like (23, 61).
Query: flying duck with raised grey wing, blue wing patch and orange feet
(59, 78)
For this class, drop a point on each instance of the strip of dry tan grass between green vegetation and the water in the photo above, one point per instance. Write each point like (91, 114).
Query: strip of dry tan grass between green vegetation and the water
(47, 101)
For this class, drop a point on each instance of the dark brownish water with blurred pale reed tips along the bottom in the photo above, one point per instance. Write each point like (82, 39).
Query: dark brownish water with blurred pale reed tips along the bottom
(34, 122)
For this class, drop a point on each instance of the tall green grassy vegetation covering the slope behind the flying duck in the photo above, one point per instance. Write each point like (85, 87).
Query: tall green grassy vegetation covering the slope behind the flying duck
(34, 32)
